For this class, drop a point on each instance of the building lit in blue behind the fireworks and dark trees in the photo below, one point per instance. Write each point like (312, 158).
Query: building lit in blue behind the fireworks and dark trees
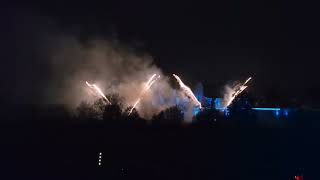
(241, 107)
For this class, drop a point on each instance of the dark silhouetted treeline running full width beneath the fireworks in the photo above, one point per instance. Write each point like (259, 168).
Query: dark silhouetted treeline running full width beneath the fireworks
(100, 113)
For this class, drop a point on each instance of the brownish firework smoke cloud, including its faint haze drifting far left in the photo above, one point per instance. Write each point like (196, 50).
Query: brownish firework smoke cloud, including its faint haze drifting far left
(52, 67)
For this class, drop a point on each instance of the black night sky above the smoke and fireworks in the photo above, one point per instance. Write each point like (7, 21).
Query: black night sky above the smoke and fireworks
(276, 42)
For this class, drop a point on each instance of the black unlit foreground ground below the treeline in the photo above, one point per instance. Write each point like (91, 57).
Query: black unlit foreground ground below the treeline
(197, 152)
